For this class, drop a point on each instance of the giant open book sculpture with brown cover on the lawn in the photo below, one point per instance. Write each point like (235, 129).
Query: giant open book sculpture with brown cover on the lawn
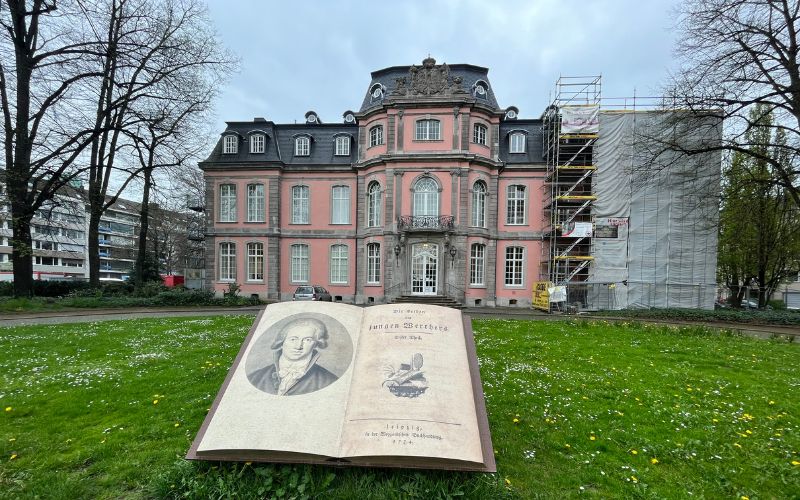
(390, 386)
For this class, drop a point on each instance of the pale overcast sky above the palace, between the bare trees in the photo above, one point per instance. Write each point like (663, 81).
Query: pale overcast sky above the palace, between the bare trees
(317, 55)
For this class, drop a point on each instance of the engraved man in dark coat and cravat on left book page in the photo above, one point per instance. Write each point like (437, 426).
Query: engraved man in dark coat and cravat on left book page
(295, 352)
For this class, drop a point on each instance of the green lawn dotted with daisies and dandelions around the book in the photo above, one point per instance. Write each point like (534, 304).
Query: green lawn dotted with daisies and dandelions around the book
(107, 410)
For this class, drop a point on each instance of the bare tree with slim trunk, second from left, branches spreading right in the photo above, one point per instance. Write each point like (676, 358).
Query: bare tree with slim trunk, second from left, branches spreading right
(150, 48)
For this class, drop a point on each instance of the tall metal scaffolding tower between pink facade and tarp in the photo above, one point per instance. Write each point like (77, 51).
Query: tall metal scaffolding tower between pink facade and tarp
(570, 127)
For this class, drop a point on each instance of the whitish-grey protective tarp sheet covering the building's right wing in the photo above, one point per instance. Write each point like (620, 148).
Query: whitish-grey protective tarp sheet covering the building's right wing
(666, 255)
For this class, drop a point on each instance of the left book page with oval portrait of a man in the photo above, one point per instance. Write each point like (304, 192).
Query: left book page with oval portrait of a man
(290, 387)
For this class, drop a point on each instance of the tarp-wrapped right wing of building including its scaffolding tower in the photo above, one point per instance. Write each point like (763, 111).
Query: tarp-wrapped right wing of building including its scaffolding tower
(628, 223)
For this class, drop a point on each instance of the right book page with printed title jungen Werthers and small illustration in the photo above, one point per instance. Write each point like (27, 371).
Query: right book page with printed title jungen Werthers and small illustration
(411, 392)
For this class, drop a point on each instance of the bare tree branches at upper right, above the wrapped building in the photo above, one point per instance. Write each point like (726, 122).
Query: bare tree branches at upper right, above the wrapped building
(735, 55)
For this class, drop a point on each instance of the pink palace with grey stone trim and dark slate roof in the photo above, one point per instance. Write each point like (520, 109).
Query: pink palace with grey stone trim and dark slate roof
(429, 189)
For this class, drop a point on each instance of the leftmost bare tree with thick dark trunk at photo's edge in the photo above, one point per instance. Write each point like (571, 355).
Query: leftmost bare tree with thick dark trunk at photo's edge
(42, 80)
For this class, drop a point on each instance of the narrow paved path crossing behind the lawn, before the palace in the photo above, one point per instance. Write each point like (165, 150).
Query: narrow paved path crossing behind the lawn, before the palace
(89, 315)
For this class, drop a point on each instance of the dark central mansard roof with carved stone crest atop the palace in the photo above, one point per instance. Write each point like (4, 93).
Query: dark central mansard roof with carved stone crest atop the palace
(429, 81)
